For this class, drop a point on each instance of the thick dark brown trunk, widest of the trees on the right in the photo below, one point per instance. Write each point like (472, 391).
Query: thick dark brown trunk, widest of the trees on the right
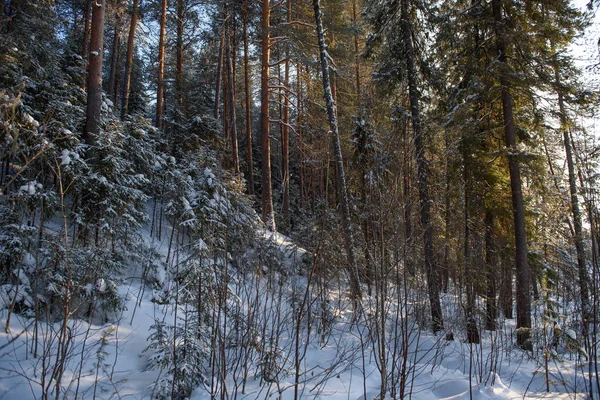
(522, 266)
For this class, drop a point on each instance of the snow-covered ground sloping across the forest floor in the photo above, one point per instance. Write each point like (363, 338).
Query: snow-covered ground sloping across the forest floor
(336, 358)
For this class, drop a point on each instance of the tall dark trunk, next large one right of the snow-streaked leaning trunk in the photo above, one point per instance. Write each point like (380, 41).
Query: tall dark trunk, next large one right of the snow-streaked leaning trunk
(424, 199)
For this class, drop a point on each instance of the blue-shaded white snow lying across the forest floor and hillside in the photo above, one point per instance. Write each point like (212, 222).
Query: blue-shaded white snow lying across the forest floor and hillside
(334, 366)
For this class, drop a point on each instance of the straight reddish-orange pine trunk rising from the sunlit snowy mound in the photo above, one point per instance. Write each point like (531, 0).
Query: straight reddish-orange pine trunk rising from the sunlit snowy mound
(265, 127)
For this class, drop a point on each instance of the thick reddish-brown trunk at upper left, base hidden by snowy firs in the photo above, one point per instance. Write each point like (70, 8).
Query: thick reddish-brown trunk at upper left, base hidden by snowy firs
(94, 101)
